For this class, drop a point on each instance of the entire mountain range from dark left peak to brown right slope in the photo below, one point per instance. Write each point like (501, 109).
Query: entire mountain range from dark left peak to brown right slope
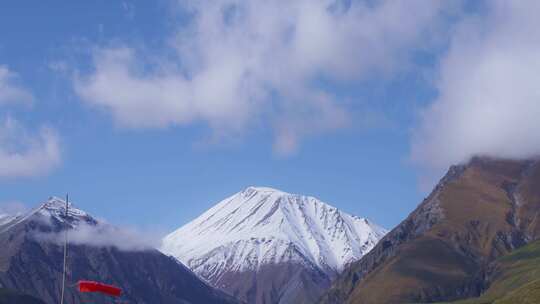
(473, 240)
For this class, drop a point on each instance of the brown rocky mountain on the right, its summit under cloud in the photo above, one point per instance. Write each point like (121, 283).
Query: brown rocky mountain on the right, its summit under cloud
(444, 249)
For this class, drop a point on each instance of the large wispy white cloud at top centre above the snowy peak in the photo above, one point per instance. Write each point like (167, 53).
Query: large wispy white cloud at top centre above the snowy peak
(240, 64)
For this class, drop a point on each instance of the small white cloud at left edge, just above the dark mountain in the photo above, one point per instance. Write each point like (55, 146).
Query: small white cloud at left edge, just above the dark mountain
(23, 154)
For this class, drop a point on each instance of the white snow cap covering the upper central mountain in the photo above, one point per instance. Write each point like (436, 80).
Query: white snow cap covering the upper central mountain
(262, 225)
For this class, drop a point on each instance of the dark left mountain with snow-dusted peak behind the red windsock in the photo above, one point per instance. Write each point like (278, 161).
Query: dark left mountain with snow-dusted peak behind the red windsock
(31, 262)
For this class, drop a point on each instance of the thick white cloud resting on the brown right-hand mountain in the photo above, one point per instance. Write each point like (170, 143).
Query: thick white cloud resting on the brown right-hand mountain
(489, 93)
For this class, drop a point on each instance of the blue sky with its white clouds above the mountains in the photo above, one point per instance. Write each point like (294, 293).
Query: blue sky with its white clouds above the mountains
(154, 111)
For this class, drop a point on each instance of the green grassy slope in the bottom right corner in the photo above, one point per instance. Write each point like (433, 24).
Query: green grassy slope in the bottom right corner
(518, 280)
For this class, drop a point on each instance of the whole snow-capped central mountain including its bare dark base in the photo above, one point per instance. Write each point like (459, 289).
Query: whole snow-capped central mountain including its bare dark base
(267, 246)
